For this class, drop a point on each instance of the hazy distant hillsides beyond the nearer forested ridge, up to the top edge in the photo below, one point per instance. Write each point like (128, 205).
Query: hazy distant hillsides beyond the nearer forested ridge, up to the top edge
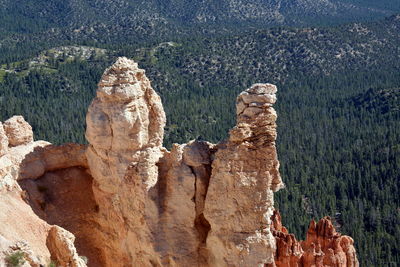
(34, 25)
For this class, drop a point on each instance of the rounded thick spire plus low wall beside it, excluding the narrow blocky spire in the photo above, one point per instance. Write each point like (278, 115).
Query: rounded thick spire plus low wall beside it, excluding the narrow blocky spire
(150, 200)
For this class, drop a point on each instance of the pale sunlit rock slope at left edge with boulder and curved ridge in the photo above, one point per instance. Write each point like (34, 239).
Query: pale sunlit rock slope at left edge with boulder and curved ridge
(21, 229)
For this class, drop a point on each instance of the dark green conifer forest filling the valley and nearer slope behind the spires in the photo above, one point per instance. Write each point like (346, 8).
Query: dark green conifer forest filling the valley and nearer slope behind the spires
(338, 109)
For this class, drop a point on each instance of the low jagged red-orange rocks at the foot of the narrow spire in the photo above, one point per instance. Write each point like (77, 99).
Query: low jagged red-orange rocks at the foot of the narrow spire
(323, 246)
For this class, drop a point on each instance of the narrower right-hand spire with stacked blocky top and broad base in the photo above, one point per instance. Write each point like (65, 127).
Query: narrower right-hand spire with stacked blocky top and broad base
(244, 176)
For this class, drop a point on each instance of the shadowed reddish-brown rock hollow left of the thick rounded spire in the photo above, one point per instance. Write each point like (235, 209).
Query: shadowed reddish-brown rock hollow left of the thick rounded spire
(64, 198)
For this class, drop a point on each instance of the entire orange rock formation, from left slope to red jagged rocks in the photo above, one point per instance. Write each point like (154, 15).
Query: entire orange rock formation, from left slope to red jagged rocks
(128, 201)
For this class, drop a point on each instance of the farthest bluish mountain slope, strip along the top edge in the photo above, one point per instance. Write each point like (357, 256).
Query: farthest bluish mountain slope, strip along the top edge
(33, 16)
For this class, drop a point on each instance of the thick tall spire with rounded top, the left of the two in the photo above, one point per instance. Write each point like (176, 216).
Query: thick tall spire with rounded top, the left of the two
(125, 127)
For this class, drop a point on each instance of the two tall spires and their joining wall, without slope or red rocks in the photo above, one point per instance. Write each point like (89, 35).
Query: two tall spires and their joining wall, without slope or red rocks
(161, 207)
